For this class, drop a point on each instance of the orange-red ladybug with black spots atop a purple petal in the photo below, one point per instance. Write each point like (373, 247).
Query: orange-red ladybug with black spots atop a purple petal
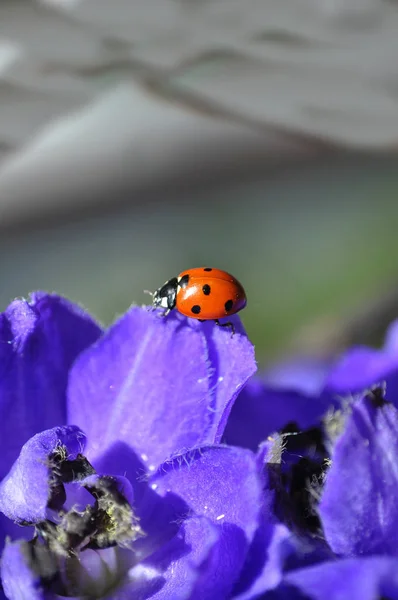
(203, 293)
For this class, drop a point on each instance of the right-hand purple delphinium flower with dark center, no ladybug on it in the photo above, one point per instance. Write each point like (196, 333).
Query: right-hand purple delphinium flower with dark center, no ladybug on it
(334, 466)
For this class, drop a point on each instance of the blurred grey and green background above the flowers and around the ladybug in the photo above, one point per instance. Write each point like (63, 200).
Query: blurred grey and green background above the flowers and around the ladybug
(138, 139)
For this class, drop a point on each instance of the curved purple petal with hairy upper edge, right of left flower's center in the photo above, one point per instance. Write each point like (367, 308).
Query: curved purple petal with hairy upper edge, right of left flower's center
(222, 484)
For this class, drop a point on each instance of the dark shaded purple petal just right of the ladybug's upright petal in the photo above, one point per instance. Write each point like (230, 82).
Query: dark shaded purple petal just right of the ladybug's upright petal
(261, 410)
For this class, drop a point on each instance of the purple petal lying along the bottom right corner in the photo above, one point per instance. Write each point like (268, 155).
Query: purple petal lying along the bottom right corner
(356, 579)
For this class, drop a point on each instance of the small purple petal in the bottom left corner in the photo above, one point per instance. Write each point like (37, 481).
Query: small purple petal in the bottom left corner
(18, 579)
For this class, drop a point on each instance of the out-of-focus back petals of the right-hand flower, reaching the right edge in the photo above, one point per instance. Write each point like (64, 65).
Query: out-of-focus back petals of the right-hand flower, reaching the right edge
(303, 391)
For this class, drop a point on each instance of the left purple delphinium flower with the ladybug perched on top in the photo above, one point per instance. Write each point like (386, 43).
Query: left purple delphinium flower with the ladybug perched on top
(111, 459)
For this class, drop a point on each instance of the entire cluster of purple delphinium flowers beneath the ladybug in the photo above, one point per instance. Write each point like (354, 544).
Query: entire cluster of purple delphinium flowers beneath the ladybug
(148, 461)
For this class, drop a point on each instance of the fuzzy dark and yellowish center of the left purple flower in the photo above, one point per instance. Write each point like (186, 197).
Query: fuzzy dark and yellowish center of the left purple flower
(65, 542)
